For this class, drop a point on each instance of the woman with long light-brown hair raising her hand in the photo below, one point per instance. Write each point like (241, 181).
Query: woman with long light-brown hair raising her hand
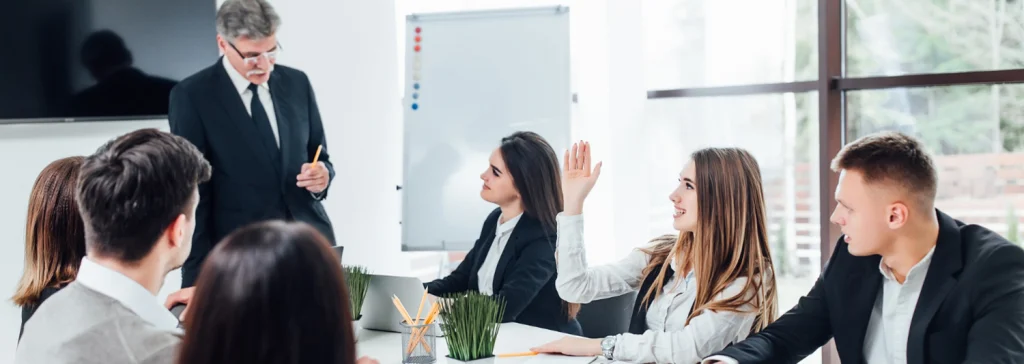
(708, 288)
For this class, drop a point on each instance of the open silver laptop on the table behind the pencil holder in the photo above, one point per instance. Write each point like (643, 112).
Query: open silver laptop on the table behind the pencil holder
(379, 312)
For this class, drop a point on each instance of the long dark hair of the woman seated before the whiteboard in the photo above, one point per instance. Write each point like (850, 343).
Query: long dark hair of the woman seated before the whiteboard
(537, 177)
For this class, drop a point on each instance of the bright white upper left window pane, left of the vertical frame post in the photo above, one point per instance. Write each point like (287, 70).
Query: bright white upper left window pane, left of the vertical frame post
(693, 44)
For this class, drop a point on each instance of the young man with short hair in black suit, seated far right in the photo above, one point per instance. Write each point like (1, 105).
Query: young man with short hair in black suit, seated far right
(907, 284)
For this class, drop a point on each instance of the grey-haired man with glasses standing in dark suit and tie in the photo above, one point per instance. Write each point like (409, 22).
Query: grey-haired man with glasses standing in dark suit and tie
(259, 126)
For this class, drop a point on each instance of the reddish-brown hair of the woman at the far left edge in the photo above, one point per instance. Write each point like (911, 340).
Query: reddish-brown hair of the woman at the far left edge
(55, 233)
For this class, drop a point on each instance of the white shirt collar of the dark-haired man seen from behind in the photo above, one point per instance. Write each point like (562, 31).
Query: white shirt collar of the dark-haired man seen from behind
(126, 292)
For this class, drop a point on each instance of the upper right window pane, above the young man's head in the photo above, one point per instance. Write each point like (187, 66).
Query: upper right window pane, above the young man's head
(887, 37)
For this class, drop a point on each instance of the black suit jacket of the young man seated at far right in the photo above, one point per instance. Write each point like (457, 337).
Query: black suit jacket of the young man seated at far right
(971, 307)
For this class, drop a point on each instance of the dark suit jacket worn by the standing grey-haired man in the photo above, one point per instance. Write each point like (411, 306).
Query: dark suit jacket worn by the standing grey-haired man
(251, 182)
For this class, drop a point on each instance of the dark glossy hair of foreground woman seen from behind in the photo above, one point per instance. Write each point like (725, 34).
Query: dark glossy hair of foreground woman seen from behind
(271, 294)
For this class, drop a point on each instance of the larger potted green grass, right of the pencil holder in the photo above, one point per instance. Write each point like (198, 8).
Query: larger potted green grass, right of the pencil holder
(471, 323)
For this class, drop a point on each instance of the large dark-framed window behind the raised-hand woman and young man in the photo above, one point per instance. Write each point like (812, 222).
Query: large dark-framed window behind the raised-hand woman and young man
(794, 80)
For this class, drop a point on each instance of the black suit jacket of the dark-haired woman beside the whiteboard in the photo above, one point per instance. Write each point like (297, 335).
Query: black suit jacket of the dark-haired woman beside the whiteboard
(526, 275)
